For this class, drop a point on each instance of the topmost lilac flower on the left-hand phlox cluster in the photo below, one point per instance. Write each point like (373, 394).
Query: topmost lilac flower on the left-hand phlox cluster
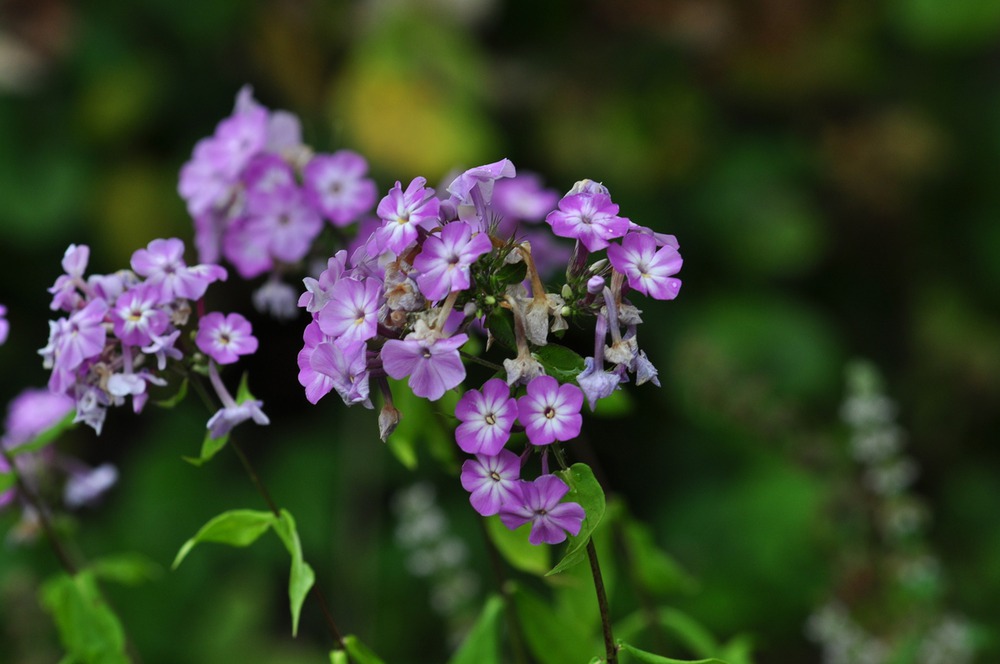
(162, 263)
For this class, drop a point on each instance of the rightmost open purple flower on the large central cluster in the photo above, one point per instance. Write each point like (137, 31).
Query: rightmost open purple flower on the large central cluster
(649, 270)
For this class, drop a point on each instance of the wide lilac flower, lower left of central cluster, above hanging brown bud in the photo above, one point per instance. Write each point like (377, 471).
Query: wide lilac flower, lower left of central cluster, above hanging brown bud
(433, 365)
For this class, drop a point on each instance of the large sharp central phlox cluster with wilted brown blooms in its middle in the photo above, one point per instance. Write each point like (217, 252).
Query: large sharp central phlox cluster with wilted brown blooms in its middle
(439, 266)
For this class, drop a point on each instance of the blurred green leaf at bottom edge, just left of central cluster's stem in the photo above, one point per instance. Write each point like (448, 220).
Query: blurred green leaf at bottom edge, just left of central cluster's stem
(551, 638)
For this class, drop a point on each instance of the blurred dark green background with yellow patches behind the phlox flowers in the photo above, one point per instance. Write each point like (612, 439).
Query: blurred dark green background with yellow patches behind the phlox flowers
(829, 168)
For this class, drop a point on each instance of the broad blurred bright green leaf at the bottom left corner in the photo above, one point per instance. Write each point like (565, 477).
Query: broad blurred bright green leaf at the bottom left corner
(88, 629)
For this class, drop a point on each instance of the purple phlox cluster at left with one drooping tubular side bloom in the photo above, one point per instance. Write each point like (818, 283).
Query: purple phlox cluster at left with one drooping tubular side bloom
(120, 330)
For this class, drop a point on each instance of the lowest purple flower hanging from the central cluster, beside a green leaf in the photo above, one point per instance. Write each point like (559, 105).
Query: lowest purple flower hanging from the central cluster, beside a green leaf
(539, 504)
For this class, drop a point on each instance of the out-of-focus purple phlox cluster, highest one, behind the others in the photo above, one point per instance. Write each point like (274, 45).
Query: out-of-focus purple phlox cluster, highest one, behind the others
(259, 196)
